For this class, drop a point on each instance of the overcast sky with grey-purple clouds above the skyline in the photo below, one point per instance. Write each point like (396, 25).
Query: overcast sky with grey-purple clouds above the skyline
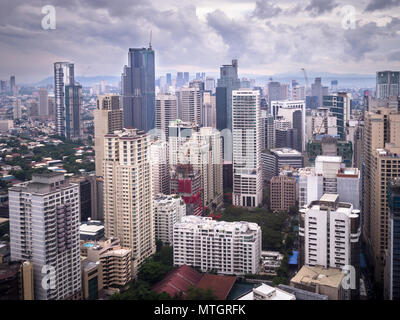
(267, 37)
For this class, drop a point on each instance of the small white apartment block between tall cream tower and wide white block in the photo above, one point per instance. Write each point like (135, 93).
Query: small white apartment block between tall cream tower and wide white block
(168, 210)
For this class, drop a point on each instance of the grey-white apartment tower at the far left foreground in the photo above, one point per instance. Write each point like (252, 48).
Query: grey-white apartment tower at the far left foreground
(44, 229)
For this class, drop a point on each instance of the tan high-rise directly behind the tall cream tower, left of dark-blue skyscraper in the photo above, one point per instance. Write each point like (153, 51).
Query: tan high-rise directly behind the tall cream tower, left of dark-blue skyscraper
(107, 119)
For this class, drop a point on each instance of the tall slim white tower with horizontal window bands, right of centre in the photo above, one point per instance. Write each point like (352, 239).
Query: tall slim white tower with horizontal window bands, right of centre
(246, 132)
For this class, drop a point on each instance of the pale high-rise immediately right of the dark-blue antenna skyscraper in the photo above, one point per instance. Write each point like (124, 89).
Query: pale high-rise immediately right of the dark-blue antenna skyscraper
(166, 111)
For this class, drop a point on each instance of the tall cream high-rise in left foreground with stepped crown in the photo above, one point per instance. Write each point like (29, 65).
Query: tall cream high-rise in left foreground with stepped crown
(128, 193)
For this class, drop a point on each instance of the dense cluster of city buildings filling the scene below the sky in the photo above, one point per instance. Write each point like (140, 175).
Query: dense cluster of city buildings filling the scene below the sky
(166, 150)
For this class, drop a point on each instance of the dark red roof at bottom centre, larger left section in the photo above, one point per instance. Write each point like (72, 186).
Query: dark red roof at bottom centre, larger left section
(178, 280)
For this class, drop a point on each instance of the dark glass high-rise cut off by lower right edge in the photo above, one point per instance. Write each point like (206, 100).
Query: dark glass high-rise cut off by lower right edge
(392, 270)
